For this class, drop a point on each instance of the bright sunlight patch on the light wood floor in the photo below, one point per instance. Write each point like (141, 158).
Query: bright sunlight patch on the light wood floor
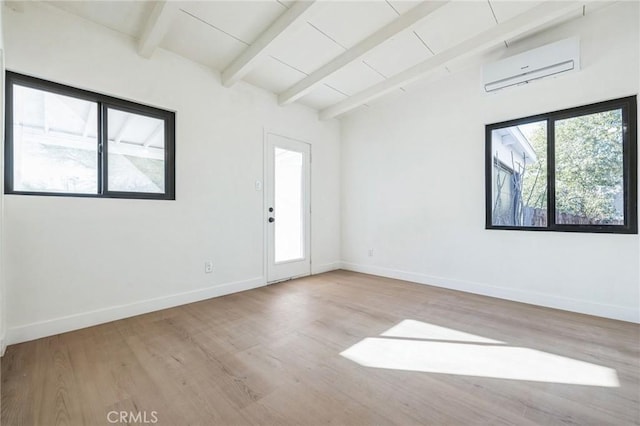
(400, 349)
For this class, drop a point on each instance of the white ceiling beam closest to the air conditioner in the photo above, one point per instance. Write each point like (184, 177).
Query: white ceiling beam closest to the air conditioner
(527, 21)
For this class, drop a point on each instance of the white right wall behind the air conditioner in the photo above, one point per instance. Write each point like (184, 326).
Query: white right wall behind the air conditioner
(413, 183)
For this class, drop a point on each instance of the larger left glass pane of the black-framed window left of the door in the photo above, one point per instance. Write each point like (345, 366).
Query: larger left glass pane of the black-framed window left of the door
(54, 143)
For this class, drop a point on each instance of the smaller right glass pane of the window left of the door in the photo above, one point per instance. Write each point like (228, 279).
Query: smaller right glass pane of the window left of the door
(136, 152)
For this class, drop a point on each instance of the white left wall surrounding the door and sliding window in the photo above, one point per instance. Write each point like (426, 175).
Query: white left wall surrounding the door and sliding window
(72, 262)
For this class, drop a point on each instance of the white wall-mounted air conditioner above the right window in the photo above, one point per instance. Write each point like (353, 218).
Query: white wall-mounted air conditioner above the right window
(552, 59)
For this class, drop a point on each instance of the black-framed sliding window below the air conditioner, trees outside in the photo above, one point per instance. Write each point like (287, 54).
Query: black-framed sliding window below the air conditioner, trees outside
(569, 170)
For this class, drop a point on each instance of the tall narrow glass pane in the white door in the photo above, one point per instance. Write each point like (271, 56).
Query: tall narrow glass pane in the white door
(289, 205)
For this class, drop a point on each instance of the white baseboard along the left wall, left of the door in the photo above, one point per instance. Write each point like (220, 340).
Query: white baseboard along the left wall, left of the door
(100, 316)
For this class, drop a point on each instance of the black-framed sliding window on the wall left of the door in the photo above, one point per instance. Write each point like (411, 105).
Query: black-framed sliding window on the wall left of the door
(60, 140)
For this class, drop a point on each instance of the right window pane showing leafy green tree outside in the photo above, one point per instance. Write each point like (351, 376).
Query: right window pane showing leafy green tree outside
(589, 169)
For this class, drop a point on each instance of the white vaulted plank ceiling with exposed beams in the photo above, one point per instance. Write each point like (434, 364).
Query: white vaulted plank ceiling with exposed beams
(334, 56)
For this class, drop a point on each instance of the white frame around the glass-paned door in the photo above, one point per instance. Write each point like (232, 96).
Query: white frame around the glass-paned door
(265, 203)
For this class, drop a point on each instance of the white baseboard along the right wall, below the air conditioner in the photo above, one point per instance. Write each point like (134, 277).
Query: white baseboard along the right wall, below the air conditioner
(541, 299)
